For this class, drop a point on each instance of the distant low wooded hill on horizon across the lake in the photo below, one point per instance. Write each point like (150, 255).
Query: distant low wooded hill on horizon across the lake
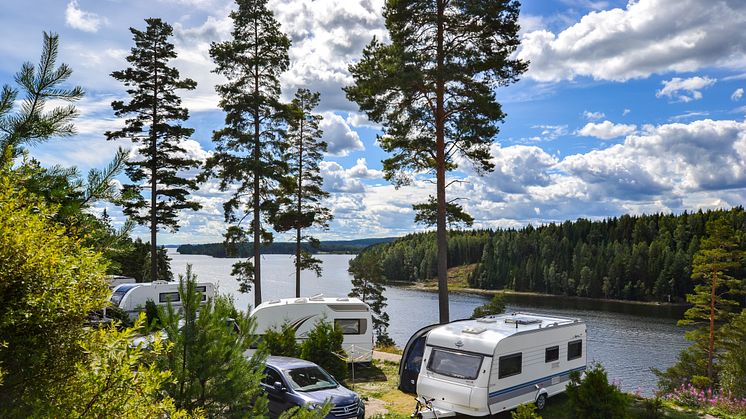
(282, 248)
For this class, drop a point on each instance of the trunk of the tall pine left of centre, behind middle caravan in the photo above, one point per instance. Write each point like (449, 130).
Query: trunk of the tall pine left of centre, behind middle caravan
(257, 186)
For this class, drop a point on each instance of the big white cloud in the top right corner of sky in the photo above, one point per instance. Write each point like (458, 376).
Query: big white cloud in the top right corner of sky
(646, 37)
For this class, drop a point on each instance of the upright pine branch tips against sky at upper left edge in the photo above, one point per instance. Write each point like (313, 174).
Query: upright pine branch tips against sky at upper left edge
(32, 123)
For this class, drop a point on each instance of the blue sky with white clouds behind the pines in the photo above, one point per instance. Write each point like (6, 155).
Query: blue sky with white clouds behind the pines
(627, 107)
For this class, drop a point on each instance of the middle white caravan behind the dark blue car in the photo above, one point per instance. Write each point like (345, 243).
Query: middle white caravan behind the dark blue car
(352, 315)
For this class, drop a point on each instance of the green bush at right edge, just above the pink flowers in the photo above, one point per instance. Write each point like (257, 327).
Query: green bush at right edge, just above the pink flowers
(732, 360)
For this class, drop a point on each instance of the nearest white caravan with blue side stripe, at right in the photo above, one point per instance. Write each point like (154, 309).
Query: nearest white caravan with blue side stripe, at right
(492, 364)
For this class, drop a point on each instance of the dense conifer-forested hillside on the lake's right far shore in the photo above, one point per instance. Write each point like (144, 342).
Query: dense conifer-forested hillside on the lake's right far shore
(645, 257)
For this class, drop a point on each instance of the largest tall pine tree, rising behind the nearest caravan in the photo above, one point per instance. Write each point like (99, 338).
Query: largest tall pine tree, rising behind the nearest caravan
(432, 89)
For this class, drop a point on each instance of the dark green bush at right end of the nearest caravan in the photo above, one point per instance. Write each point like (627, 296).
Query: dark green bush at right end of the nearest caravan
(593, 397)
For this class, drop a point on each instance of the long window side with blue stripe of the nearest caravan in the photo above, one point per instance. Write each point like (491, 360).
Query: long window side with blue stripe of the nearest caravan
(527, 364)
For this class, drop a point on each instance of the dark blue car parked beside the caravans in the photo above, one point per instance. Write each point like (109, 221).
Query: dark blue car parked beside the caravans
(291, 382)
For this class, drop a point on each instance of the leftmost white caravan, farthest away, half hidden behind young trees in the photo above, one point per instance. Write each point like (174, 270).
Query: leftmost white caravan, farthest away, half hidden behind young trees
(132, 297)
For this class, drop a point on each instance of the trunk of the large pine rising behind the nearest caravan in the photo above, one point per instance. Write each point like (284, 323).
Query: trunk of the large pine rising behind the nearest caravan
(440, 174)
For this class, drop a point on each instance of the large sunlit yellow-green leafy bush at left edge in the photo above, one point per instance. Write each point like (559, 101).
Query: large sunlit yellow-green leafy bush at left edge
(49, 284)
